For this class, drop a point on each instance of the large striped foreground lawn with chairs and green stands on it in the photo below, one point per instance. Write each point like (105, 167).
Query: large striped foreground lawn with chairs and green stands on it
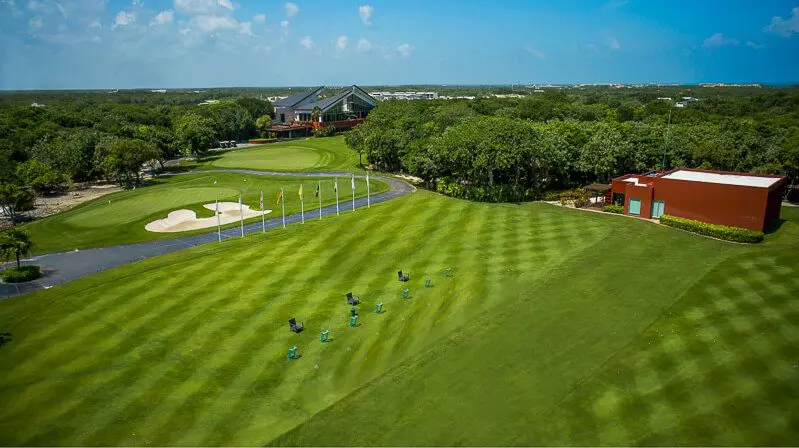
(557, 327)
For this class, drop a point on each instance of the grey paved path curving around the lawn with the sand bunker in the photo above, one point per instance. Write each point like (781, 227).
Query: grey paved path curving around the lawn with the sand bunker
(61, 267)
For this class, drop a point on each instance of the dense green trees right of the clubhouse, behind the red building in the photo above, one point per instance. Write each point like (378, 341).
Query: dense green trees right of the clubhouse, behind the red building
(495, 149)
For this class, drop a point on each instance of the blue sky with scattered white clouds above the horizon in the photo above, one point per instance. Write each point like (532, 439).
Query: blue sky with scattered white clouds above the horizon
(61, 44)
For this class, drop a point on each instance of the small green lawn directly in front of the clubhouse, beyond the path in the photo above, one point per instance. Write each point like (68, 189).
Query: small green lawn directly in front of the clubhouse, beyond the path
(312, 154)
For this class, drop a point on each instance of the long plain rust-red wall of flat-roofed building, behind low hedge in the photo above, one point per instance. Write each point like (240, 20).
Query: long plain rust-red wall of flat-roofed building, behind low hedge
(729, 205)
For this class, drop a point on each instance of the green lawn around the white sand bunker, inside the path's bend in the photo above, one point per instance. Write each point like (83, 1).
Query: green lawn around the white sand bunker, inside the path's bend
(119, 218)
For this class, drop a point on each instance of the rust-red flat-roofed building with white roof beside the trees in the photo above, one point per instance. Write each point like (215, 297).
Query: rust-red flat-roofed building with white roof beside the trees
(751, 201)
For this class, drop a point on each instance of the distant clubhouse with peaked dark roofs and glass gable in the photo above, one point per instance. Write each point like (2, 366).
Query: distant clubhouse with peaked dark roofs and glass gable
(299, 114)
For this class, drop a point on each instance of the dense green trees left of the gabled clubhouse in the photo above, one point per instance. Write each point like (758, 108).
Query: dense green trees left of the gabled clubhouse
(43, 150)
